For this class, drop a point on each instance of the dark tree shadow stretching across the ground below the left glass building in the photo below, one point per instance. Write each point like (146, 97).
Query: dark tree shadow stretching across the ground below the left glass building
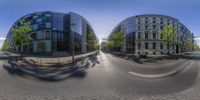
(55, 72)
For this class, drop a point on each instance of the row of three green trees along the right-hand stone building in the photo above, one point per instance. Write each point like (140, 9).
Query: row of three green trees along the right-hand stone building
(167, 35)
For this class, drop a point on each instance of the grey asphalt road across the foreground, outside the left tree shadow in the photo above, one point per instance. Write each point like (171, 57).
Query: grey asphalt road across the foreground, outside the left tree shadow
(107, 78)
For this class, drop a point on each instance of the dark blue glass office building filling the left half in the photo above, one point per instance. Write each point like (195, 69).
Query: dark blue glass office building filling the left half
(52, 32)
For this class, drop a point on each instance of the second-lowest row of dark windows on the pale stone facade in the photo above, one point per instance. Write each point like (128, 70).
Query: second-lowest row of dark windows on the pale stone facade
(154, 46)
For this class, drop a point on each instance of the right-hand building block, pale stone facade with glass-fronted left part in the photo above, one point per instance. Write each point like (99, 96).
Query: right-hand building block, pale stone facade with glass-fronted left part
(142, 35)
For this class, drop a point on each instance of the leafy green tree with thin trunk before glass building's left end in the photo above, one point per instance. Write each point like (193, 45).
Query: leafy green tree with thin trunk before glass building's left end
(20, 35)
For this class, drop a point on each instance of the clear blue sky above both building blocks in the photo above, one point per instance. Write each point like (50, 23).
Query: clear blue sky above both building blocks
(102, 14)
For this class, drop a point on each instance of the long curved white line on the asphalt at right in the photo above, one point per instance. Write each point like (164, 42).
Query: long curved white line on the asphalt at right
(160, 75)
